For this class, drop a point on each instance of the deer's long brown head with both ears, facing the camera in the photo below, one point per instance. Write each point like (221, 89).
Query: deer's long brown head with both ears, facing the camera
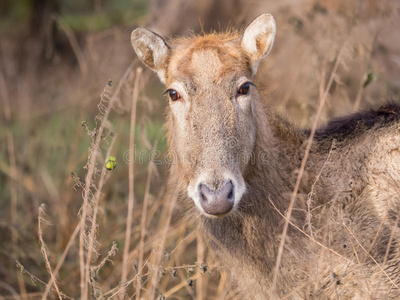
(211, 95)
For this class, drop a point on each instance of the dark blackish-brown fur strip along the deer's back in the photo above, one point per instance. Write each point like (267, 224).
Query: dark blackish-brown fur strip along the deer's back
(358, 123)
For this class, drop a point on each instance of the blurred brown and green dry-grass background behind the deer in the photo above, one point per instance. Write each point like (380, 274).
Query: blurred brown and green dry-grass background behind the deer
(56, 58)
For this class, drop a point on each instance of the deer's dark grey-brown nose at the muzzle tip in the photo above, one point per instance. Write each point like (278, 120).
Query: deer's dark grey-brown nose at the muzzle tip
(217, 202)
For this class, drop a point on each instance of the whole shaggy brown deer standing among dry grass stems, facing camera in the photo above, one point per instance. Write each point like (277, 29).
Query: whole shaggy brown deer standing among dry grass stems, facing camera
(237, 162)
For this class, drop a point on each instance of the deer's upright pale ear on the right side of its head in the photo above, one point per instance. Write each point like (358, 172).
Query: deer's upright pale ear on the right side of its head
(258, 38)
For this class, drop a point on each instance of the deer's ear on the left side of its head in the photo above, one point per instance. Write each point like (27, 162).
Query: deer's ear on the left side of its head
(152, 50)
